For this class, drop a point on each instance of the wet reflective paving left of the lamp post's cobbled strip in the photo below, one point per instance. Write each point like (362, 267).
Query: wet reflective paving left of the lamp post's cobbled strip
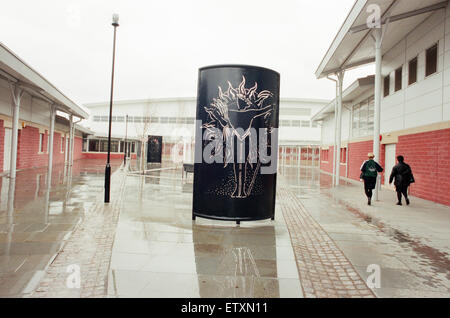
(36, 219)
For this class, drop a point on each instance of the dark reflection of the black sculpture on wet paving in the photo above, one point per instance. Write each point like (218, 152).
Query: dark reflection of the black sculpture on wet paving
(237, 267)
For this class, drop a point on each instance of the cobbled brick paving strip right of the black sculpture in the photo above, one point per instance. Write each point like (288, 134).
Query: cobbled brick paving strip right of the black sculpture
(323, 269)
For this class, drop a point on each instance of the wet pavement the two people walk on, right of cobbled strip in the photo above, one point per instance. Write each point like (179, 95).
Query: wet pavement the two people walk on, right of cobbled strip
(409, 243)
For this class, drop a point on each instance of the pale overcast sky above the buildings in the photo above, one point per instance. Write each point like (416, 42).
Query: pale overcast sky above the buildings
(161, 44)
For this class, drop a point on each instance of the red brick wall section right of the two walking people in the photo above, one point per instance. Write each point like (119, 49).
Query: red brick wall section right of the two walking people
(428, 155)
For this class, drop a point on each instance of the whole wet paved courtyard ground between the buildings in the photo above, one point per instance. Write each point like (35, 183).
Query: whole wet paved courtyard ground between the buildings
(144, 243)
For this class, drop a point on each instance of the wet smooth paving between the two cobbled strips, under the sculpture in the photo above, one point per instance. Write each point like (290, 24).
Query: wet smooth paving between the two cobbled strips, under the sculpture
(159, 252)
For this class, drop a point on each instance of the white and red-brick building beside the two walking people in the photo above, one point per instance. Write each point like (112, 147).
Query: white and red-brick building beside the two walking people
(408, 96)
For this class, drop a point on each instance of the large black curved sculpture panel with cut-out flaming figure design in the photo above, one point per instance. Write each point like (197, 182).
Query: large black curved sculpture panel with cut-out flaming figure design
(236, 143)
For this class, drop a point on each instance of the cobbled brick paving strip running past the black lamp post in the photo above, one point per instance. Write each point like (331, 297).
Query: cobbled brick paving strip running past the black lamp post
(89, 247)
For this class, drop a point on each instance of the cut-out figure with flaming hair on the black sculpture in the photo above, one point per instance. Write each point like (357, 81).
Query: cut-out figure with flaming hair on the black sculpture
(234, 112)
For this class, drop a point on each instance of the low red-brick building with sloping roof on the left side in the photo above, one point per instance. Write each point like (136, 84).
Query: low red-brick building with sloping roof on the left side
(35, 112)
